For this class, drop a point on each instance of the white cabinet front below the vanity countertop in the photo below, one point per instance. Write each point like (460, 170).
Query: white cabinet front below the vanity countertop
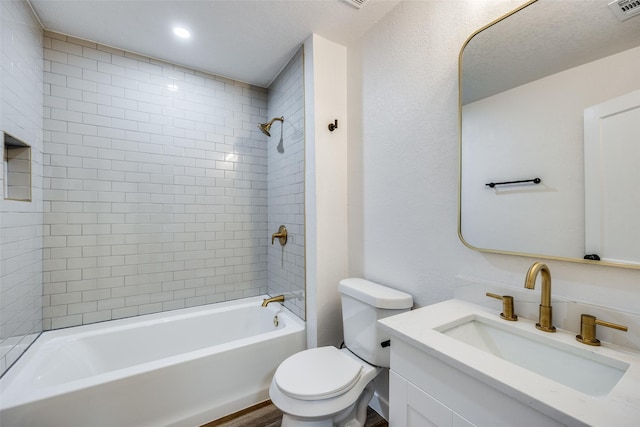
(424, 392)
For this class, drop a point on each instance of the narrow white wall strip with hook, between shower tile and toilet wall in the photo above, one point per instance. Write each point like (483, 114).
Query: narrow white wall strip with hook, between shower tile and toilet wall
(326, 190)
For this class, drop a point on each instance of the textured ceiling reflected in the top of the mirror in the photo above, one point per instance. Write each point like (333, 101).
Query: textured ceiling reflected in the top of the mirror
(544, 38)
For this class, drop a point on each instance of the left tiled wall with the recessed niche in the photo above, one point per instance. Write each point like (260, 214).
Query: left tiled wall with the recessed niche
(21, 60)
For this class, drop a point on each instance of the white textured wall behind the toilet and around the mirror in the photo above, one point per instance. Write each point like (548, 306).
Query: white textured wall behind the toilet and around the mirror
(403, 165)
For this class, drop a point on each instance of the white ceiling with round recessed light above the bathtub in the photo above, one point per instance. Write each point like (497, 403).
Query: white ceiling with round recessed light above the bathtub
(246, 40)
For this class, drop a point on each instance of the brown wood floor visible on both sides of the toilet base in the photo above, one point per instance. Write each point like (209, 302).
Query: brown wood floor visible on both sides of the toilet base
(267, 415)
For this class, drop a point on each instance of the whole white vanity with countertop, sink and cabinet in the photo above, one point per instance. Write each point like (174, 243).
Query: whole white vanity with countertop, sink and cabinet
(459, 364)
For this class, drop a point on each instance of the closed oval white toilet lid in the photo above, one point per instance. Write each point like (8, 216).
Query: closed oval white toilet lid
(318, 373)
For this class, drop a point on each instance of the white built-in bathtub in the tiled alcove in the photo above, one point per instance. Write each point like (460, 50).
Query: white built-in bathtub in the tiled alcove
(179, 368)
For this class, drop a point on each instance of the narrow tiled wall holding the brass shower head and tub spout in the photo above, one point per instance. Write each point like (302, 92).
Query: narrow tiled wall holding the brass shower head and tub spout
(286, 265)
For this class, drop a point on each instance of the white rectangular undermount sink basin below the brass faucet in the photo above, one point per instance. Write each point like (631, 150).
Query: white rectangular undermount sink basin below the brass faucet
(580, 369)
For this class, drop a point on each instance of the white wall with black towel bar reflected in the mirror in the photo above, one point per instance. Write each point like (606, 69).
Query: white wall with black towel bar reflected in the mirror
(504, 141)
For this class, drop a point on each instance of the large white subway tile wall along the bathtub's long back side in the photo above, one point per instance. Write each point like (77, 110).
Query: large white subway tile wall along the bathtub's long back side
(156, 182)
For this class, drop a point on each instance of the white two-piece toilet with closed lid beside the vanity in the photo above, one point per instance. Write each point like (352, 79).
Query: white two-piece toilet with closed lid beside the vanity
(327, 386)
